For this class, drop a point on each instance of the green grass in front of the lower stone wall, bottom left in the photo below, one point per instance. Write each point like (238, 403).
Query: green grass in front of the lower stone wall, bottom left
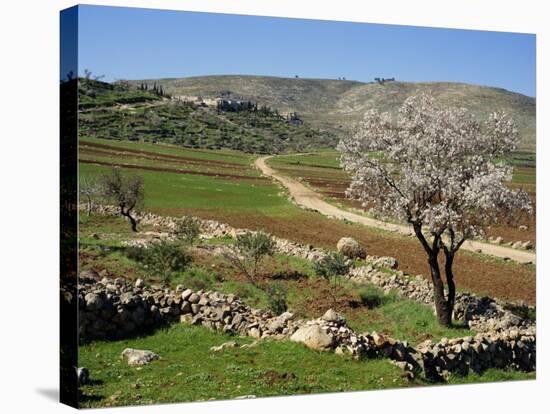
(189, 371)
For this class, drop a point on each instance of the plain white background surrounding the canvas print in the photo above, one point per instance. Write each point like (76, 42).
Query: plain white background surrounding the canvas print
(29, 203)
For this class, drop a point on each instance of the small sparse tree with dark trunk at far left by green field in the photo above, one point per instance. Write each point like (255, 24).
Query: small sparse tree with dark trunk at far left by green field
(126, 191)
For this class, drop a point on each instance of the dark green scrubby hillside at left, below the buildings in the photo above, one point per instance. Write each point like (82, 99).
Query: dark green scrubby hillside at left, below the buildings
(119, 112)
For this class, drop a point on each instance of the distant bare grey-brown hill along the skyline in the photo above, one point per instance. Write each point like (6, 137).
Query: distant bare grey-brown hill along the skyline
(334, 105)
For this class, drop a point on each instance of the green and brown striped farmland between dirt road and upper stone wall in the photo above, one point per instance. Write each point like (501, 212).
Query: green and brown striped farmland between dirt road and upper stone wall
(223, 185)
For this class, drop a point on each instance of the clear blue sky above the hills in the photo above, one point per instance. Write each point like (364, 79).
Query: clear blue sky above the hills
(131, 43)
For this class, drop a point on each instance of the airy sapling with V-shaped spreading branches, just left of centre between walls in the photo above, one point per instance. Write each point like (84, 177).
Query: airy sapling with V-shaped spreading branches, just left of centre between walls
(248, 252)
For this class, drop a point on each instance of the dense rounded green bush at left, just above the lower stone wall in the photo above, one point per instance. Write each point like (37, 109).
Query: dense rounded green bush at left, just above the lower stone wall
(165, 259)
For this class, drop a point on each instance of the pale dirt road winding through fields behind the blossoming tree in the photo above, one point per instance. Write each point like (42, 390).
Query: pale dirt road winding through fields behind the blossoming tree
(307, 198)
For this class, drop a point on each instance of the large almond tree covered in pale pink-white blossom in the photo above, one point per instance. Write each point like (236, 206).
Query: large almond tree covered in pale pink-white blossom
(438, 169)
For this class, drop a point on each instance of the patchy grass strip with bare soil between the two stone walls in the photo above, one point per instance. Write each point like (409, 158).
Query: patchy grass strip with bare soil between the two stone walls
(308, 295)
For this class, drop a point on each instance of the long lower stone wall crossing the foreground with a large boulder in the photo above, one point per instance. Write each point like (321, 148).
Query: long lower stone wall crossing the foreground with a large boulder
(115, 309)
